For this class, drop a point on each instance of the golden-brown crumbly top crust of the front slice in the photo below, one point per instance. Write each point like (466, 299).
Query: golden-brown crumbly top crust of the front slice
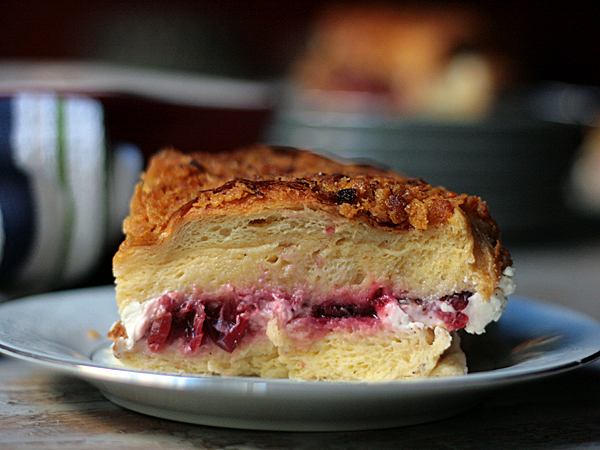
(178, 186)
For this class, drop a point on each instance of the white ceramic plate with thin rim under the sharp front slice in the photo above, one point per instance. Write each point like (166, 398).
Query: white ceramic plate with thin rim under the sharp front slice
(65, 331)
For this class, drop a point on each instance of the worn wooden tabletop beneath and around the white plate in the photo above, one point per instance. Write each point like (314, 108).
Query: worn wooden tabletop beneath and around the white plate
(43, 409)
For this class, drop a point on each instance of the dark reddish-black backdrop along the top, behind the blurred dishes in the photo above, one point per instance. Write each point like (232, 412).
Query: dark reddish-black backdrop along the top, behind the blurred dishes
(260, 38)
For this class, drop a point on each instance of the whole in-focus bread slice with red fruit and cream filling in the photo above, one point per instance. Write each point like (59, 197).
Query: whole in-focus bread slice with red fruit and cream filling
(280, 263)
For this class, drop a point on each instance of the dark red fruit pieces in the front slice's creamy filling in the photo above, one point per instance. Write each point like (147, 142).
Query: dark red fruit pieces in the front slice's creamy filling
(226, 323)
